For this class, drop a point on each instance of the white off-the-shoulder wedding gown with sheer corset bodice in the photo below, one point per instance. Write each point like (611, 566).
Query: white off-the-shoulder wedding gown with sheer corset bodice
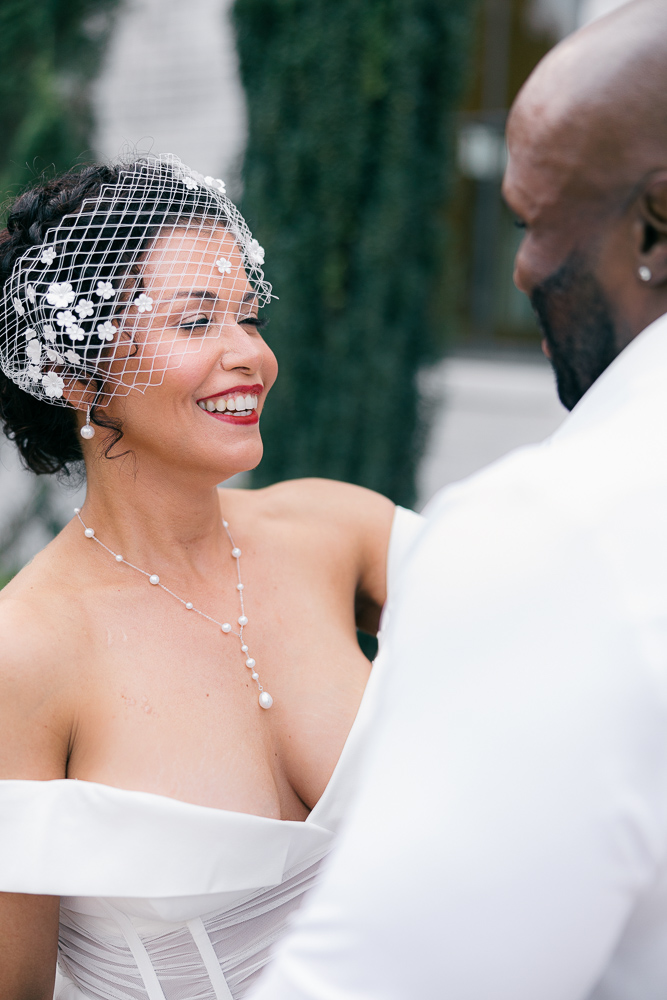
(163, 900)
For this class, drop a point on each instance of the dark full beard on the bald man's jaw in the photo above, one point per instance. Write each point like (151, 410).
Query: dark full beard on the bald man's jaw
(576, 319)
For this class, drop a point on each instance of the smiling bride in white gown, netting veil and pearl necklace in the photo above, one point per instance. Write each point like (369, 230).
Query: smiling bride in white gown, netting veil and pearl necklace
(183, 701)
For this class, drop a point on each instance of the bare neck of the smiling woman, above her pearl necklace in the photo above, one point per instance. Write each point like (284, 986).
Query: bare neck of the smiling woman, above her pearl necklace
(149, 513)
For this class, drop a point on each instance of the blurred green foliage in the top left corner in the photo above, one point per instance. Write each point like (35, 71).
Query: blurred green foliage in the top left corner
(49, 52)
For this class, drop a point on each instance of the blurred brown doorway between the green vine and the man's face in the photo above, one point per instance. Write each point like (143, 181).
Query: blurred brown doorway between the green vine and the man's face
(512, 37)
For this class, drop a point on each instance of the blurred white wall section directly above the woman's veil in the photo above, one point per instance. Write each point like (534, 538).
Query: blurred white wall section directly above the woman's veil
(170, 83)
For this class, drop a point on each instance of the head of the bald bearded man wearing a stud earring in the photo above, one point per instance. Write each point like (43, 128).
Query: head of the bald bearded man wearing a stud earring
(587, 176)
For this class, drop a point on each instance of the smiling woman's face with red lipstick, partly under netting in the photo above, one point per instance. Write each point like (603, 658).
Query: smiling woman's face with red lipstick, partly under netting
(198, 349)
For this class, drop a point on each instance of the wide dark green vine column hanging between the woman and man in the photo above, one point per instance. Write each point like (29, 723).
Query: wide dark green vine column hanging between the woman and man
(346, 177)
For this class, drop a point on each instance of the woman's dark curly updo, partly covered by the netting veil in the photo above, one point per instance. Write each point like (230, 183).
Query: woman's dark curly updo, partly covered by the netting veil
(127, 218)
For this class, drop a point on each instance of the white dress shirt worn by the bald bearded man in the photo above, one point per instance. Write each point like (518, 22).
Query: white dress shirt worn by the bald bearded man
(508, 838)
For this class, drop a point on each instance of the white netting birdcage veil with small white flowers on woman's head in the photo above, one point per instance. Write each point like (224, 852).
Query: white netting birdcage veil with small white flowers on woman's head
(150, 266)
